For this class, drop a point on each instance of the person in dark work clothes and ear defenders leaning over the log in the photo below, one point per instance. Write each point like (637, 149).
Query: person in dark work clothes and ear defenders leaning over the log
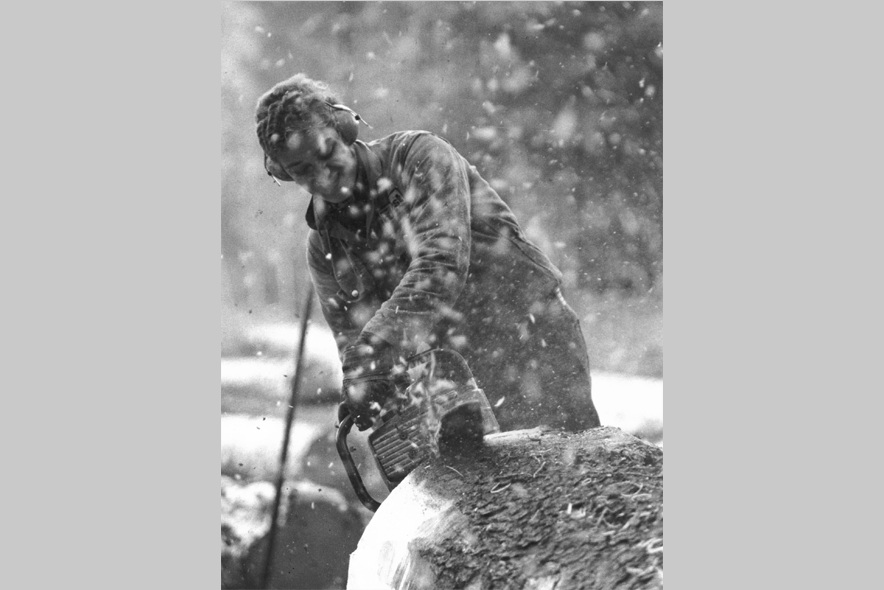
(411, 249)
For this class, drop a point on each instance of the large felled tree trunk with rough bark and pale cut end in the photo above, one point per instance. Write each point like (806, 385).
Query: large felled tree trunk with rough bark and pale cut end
(530, 509)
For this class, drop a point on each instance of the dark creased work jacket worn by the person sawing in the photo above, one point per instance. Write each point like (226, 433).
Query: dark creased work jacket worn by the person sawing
(436, 257)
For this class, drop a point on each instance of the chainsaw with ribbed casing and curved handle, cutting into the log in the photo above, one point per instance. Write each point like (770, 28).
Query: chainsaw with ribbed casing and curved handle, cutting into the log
(438, 407)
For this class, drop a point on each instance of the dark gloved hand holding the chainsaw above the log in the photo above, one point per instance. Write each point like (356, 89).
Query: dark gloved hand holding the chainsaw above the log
(368, 379)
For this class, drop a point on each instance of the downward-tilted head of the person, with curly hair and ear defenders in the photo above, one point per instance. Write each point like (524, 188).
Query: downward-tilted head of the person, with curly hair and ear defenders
(306, 137)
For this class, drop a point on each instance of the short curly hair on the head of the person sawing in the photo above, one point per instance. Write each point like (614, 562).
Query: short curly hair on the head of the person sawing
(295, 104)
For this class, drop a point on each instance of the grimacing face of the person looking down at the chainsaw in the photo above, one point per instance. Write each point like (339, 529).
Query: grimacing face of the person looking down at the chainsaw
(320, 163)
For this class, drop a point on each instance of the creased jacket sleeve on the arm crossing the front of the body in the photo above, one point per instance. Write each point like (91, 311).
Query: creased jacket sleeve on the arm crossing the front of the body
(435, 224)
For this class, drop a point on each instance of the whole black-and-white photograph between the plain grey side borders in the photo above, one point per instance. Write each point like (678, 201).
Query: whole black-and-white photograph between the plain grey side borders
(442, 295)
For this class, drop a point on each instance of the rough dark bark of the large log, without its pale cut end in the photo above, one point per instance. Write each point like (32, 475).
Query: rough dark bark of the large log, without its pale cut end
(556, 511)
